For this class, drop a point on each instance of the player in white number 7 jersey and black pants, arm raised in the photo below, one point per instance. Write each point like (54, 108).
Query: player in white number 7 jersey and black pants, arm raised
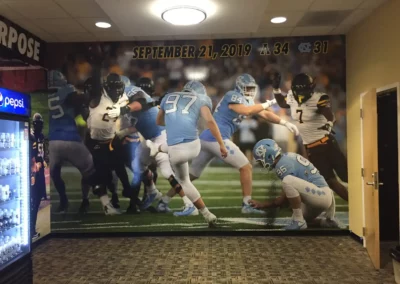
(313, 114)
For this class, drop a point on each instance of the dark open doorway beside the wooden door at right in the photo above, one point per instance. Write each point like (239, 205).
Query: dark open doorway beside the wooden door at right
(388, 166)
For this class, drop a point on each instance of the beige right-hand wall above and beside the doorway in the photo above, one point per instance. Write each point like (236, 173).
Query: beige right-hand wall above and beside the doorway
(373, 61)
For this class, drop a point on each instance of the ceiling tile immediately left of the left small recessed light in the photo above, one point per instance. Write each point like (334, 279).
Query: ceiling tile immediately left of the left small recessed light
(60, 26)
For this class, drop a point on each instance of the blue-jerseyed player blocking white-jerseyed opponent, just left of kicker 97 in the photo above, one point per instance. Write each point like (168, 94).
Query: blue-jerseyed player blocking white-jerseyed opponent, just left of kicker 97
(143, 109)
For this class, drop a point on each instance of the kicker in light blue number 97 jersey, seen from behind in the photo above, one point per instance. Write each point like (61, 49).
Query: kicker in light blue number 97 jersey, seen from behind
(180, 112)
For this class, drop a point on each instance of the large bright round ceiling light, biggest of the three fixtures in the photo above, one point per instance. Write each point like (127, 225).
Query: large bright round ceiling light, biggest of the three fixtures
(184, 16)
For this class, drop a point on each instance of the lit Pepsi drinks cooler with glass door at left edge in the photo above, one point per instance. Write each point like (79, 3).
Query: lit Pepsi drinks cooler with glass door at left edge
(14, 177)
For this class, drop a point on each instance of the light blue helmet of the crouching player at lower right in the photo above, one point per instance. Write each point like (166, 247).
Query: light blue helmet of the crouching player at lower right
(265, 152)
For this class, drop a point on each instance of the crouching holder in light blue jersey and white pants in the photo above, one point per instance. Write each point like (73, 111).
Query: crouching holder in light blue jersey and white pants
(302, 185)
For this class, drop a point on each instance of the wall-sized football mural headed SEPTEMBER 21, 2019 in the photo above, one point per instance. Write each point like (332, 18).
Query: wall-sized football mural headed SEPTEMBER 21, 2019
(231, 135)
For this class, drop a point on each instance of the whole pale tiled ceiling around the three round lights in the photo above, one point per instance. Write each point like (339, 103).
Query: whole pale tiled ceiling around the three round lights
(73, 20)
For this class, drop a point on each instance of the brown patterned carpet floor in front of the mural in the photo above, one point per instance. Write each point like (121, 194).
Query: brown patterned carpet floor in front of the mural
(205, 260)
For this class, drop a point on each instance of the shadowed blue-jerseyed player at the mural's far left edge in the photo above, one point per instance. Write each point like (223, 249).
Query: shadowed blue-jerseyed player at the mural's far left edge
(65, 144)
